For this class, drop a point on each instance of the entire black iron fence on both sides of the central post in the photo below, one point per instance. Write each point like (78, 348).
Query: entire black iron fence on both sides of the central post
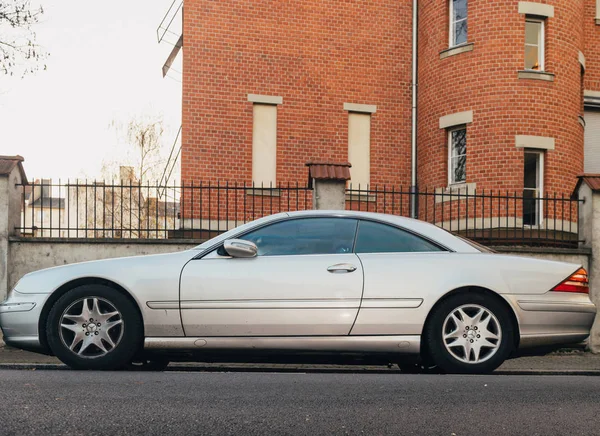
(202, 210)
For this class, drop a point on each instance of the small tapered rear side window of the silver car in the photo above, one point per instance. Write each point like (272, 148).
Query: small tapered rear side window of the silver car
(380, 238)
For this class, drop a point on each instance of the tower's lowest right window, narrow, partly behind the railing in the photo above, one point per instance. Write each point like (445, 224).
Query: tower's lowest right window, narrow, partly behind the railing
(533, 178)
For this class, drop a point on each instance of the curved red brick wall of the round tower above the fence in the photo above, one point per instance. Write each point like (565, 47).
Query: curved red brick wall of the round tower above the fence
(485, 81)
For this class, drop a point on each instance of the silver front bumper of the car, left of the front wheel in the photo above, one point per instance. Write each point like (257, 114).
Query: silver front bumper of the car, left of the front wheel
(19, 320)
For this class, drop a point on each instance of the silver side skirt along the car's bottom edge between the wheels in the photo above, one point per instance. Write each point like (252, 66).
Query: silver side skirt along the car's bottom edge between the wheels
(371, 344)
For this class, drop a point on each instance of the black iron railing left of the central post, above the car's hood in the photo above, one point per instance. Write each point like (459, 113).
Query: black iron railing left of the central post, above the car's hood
(130, 210)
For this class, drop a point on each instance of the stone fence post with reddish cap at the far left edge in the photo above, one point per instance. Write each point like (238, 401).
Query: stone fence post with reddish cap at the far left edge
(11, 174)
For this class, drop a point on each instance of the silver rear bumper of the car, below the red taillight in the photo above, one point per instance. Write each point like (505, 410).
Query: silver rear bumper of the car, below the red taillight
(553, 319)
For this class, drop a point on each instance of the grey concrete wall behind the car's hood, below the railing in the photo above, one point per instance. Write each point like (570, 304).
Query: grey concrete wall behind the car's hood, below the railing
(27, 255)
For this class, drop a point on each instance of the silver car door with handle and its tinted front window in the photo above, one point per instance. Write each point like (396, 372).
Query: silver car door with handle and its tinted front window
(305, 281)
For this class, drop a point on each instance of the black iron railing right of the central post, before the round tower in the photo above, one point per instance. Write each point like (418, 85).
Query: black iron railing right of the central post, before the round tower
(490, 217)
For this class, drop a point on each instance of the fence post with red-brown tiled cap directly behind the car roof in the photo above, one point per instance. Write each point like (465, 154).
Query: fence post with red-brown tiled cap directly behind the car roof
(328, 181)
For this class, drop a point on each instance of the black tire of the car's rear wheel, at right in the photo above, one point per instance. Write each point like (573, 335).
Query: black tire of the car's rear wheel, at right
(449, 362)
